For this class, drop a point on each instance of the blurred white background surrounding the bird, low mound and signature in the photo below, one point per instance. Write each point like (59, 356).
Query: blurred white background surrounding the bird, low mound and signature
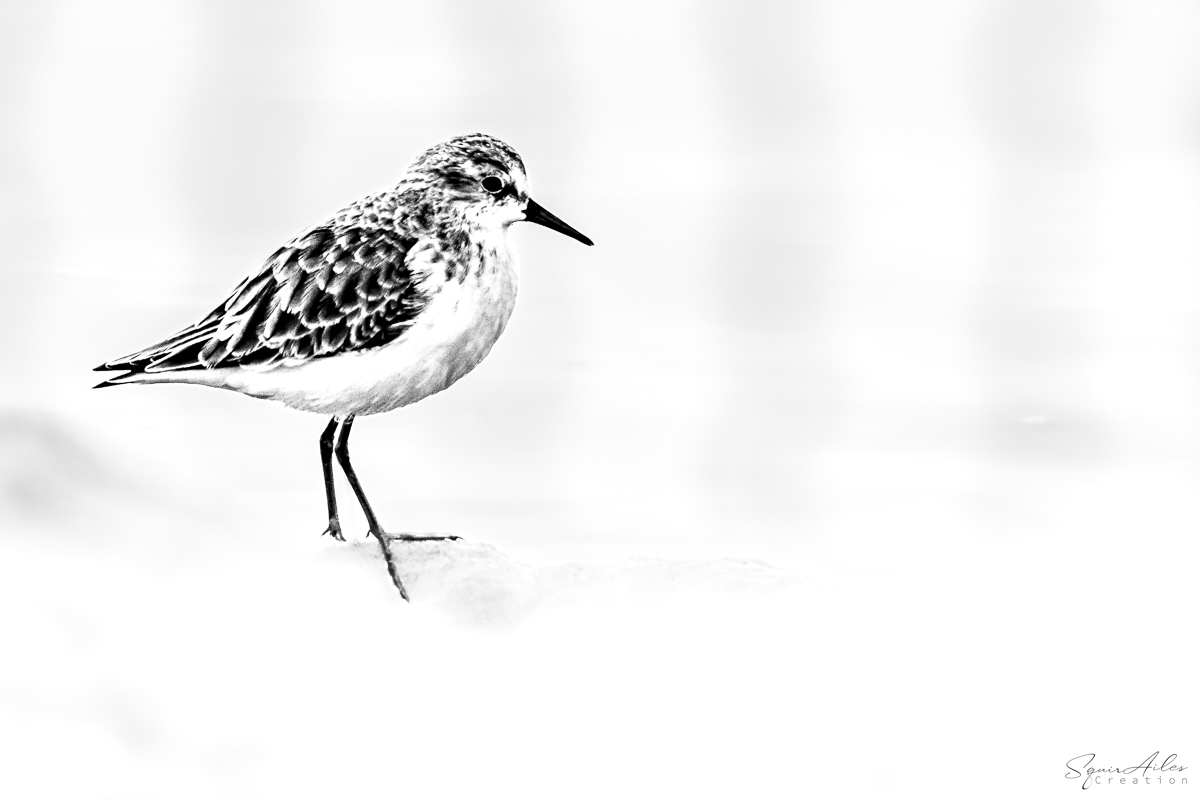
(899, 298)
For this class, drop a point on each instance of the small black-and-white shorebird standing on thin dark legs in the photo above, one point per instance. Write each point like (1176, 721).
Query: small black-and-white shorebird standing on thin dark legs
(393, 299)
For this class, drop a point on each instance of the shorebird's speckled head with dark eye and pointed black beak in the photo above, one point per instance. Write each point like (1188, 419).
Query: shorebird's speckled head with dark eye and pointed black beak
(483, 179)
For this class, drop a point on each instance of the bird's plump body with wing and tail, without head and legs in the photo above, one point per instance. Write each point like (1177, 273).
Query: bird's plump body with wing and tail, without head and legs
(376, 302)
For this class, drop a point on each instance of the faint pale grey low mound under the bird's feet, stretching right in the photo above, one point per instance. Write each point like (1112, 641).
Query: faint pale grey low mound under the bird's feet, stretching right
(476, 584)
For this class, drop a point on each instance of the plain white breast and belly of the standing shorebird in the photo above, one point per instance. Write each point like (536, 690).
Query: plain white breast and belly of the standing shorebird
(452, 335)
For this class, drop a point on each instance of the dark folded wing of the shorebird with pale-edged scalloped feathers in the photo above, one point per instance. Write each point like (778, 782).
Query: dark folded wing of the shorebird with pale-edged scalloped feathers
(328, 292)
